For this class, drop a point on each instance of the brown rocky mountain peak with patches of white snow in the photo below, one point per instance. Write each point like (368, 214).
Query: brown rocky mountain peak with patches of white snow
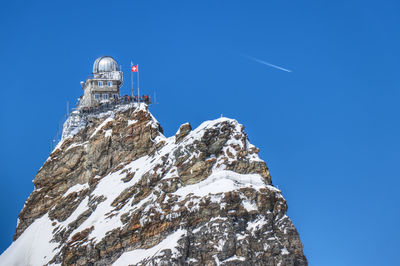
(117, 192)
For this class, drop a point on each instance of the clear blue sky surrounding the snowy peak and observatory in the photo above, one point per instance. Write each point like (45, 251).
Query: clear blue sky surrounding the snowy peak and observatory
(329, 130)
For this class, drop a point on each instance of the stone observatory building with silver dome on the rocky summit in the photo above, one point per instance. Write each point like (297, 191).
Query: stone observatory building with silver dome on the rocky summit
(104, 86)
